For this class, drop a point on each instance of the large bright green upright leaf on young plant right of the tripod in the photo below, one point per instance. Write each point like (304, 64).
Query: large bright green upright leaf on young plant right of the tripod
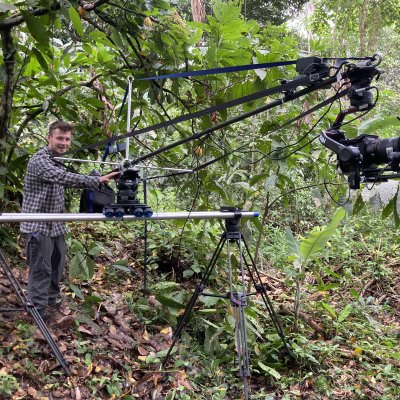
(319, 236)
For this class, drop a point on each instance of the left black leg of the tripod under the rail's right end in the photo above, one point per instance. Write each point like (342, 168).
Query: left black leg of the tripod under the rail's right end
(199, 289)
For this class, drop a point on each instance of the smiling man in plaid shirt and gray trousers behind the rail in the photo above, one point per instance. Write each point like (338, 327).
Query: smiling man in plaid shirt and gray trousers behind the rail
(44, 193)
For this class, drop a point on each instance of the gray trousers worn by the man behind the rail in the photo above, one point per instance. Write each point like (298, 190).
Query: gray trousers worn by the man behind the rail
(46, 259)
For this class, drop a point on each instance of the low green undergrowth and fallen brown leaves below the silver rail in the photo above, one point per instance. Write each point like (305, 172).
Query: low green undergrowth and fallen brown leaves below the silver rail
(345, 345)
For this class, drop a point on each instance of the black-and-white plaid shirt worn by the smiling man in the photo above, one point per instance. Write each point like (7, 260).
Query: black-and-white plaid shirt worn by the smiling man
(44, 191)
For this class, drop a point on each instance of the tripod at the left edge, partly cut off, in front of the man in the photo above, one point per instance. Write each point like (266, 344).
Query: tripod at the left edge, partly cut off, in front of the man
(30, 308)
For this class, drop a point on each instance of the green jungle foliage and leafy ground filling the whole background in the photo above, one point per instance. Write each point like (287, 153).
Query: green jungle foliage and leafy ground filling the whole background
(332, 275)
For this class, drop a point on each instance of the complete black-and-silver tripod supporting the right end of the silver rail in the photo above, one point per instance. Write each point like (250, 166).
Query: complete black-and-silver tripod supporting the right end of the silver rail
(238, 299)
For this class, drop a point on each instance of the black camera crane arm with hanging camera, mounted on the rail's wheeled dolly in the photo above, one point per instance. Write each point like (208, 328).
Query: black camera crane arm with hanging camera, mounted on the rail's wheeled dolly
(360, 158)
